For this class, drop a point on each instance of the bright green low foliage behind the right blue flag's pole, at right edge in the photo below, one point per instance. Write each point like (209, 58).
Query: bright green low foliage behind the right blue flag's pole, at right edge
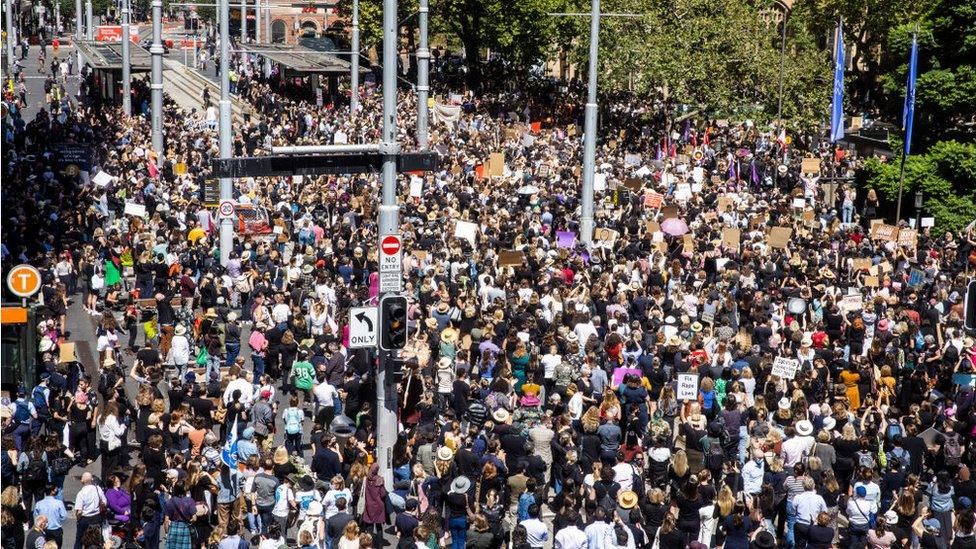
(945, 175)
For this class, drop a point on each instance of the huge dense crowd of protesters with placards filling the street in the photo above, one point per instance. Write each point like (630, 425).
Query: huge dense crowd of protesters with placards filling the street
(742, 358)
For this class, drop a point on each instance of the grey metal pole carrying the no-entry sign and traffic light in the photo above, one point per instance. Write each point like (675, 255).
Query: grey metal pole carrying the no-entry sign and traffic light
(389, 222)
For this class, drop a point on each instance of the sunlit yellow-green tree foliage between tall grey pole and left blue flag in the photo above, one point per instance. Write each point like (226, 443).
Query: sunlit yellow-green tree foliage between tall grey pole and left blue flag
(722, 57)
